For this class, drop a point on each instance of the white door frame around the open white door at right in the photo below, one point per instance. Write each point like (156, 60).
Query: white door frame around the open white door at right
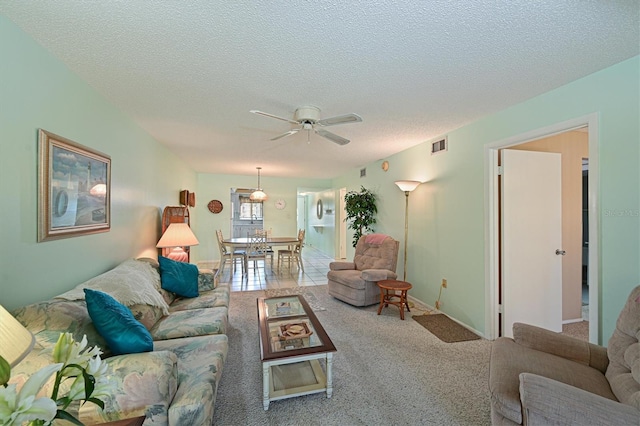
(492, 224)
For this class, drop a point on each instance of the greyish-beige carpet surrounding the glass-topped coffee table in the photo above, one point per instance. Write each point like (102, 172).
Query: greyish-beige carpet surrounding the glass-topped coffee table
(386, 372)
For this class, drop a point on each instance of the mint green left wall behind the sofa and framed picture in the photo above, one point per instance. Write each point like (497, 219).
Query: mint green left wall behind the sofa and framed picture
(38, 91)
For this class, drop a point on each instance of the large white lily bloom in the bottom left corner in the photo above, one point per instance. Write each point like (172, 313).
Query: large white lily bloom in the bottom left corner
(19, 407)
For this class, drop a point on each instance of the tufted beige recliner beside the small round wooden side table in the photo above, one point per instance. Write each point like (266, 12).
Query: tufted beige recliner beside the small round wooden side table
(375, 260)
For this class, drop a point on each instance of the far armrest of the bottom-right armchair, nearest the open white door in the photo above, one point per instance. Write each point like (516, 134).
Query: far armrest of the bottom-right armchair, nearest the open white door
(560, 345)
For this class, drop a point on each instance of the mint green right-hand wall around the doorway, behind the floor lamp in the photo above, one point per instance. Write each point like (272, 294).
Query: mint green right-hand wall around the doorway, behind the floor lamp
(446, 213)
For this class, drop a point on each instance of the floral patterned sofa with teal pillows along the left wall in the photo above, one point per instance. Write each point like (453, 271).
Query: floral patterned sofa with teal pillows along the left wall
(176, 383)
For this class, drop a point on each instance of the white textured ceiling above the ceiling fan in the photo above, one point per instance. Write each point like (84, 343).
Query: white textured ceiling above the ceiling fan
(189, 72)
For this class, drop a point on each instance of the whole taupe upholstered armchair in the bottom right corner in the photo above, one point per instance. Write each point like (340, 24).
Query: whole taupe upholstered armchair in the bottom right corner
(541, 377)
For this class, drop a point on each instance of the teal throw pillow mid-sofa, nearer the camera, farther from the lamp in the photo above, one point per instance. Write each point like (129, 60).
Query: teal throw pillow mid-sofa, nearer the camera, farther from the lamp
(116, 324)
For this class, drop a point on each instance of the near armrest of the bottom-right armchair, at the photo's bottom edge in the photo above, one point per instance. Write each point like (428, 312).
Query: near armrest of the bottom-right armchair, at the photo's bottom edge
(549, 402)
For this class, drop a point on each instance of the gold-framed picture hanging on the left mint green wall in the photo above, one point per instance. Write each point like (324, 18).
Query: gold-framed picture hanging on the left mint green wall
(74, 193)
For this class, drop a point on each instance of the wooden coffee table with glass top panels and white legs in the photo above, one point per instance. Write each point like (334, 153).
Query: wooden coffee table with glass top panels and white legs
(293, 349)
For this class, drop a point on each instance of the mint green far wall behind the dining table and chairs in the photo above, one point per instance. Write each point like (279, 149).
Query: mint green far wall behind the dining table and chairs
(217, 187)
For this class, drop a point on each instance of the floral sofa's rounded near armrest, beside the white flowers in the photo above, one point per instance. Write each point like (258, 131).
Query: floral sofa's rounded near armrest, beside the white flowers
(142, 384)
